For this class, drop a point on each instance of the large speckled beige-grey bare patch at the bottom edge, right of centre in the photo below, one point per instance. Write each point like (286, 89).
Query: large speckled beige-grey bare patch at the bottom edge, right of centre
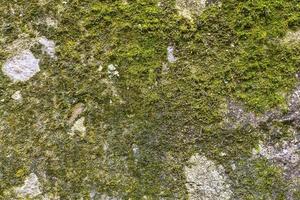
(205, 180)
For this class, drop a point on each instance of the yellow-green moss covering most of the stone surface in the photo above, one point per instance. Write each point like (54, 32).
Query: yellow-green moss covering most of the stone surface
(231, 51)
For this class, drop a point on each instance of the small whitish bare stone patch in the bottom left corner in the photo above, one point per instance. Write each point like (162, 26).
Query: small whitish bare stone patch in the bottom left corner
(31, 187)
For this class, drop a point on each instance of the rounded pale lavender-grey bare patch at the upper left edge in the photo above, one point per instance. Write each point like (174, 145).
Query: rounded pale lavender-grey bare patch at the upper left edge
(21, 67)
